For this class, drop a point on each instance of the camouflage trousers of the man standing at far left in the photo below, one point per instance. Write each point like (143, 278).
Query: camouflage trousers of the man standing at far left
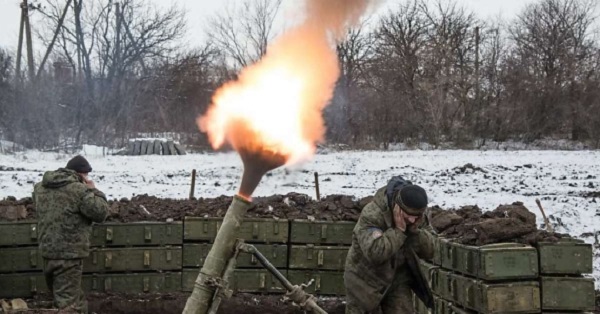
(63, 278)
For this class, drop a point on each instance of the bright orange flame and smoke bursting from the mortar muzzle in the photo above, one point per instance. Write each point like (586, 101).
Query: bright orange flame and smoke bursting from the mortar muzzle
(275, 105)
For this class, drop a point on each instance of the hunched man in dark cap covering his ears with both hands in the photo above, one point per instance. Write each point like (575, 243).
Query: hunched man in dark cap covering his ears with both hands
(381, 266)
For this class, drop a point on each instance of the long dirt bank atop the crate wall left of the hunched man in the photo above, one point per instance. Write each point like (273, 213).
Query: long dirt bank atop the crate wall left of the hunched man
(151, 208)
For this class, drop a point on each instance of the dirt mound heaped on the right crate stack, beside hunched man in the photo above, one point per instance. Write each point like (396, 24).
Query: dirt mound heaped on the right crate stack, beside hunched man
(507, 223)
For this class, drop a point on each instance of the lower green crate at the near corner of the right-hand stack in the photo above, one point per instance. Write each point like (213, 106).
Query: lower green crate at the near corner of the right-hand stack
(488, 298)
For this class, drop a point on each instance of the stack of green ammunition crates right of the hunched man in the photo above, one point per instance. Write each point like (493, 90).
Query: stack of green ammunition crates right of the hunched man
(509, 278)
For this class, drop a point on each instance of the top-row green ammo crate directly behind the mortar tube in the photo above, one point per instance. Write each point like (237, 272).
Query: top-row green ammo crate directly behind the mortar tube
(252, 230)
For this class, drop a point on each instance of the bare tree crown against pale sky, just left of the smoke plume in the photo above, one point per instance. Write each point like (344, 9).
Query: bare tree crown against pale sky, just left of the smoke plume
(244, 32)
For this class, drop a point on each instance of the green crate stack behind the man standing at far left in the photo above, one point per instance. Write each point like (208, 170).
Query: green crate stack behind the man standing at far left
(132, 257)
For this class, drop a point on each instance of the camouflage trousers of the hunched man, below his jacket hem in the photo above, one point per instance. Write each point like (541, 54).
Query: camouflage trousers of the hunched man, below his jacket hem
(399, 300)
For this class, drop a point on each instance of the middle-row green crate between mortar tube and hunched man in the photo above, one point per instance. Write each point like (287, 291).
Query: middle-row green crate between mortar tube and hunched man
(317, 257)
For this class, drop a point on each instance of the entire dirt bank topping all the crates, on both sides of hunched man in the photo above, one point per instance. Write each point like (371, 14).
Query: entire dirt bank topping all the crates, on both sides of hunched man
(468, 224)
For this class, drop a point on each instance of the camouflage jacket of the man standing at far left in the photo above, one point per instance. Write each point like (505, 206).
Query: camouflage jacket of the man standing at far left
(66, 209)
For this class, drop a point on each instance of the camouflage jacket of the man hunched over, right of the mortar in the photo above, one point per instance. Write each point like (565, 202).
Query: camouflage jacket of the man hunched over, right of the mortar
(378, 256)
